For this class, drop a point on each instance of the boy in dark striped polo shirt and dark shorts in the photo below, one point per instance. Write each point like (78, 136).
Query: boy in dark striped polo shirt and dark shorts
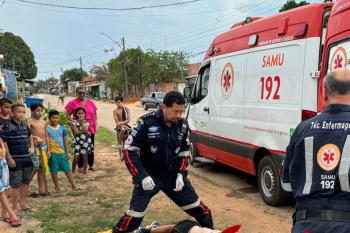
(19, 148)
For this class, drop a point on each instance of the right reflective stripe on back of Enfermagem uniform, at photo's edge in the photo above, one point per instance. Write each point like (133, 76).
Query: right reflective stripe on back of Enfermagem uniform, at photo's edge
(344, 166)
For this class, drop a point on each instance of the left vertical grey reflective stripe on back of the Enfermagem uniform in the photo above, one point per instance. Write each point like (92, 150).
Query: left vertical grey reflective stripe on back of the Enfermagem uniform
(309, 145)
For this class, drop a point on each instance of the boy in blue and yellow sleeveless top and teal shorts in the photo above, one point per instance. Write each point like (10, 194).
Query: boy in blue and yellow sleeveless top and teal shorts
(59, 149)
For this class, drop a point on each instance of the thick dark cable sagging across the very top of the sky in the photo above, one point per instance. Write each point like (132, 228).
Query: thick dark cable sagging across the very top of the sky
(107, 8)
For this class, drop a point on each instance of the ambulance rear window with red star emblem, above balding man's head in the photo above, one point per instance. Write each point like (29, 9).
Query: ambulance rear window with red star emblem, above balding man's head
(339, 56)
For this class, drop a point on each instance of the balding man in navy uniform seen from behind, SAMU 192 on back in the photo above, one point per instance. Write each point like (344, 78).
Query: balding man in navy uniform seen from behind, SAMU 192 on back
(317, 164)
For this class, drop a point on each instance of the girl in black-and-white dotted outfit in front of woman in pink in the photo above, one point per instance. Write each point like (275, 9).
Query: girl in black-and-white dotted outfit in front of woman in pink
(82, 141)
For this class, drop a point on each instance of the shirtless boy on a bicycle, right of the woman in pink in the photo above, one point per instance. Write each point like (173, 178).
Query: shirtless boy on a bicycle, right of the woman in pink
(121, 118)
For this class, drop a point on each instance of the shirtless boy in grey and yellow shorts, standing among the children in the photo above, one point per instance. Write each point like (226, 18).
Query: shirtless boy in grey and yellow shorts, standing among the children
(38, 128)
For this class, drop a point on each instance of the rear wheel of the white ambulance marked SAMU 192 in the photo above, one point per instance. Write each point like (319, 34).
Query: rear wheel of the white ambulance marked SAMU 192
(269, 183)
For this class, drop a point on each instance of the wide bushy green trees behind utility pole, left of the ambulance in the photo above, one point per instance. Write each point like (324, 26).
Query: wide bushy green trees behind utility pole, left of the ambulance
(146, 67)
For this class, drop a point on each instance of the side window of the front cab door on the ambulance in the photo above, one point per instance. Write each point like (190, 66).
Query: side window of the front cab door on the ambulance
(201, 88)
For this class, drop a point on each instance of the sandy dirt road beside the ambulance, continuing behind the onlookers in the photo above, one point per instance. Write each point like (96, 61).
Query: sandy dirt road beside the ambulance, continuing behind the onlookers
(232, 195)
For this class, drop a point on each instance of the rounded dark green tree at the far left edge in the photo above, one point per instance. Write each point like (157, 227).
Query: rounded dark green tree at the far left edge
(18, 56)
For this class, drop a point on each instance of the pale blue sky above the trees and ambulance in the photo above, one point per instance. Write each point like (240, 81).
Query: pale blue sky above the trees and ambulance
(58, 37)
